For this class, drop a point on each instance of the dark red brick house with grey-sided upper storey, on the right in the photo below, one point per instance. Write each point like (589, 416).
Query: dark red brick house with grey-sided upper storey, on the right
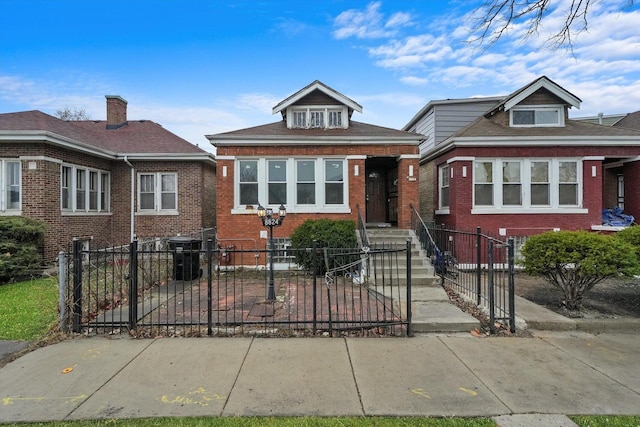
(521, 166)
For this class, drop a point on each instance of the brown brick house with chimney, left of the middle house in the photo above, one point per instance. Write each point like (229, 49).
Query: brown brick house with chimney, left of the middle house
(103, 181)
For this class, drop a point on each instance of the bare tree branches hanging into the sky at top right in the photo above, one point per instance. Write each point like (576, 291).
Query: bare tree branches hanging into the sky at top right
(494, 17)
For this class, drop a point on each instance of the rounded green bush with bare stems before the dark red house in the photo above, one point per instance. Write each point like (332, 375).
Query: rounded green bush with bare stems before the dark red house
(575, 261)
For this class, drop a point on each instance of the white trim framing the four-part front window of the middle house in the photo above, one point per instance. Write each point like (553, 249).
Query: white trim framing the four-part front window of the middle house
(291, 205)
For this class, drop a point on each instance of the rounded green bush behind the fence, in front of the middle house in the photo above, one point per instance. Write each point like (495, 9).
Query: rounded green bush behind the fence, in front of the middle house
(328, 234)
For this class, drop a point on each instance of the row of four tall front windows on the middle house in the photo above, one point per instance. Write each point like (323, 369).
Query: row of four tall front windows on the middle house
(302, 184)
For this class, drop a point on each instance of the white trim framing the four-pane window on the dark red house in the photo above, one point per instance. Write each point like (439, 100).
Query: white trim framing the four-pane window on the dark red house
(527, 207)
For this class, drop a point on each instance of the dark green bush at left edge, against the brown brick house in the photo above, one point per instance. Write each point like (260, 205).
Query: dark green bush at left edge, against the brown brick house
(21, 241)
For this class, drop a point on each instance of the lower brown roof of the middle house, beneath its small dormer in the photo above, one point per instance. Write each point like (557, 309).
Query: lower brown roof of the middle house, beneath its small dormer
(278, 133)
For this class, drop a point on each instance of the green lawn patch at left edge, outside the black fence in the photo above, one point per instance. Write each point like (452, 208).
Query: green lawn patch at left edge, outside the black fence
(28, 308)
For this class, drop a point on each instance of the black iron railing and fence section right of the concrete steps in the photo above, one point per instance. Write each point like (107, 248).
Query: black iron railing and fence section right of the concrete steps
(475, 266)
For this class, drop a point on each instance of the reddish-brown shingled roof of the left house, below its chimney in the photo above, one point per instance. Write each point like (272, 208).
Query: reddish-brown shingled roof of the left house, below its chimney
(141, 138)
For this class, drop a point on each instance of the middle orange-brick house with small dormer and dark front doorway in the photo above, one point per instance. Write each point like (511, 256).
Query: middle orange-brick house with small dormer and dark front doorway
(318, 163)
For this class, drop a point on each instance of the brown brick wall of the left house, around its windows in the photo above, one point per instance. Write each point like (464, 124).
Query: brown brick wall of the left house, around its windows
(41, 198)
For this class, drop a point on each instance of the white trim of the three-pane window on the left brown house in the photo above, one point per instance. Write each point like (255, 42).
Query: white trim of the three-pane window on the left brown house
(73, 187)
